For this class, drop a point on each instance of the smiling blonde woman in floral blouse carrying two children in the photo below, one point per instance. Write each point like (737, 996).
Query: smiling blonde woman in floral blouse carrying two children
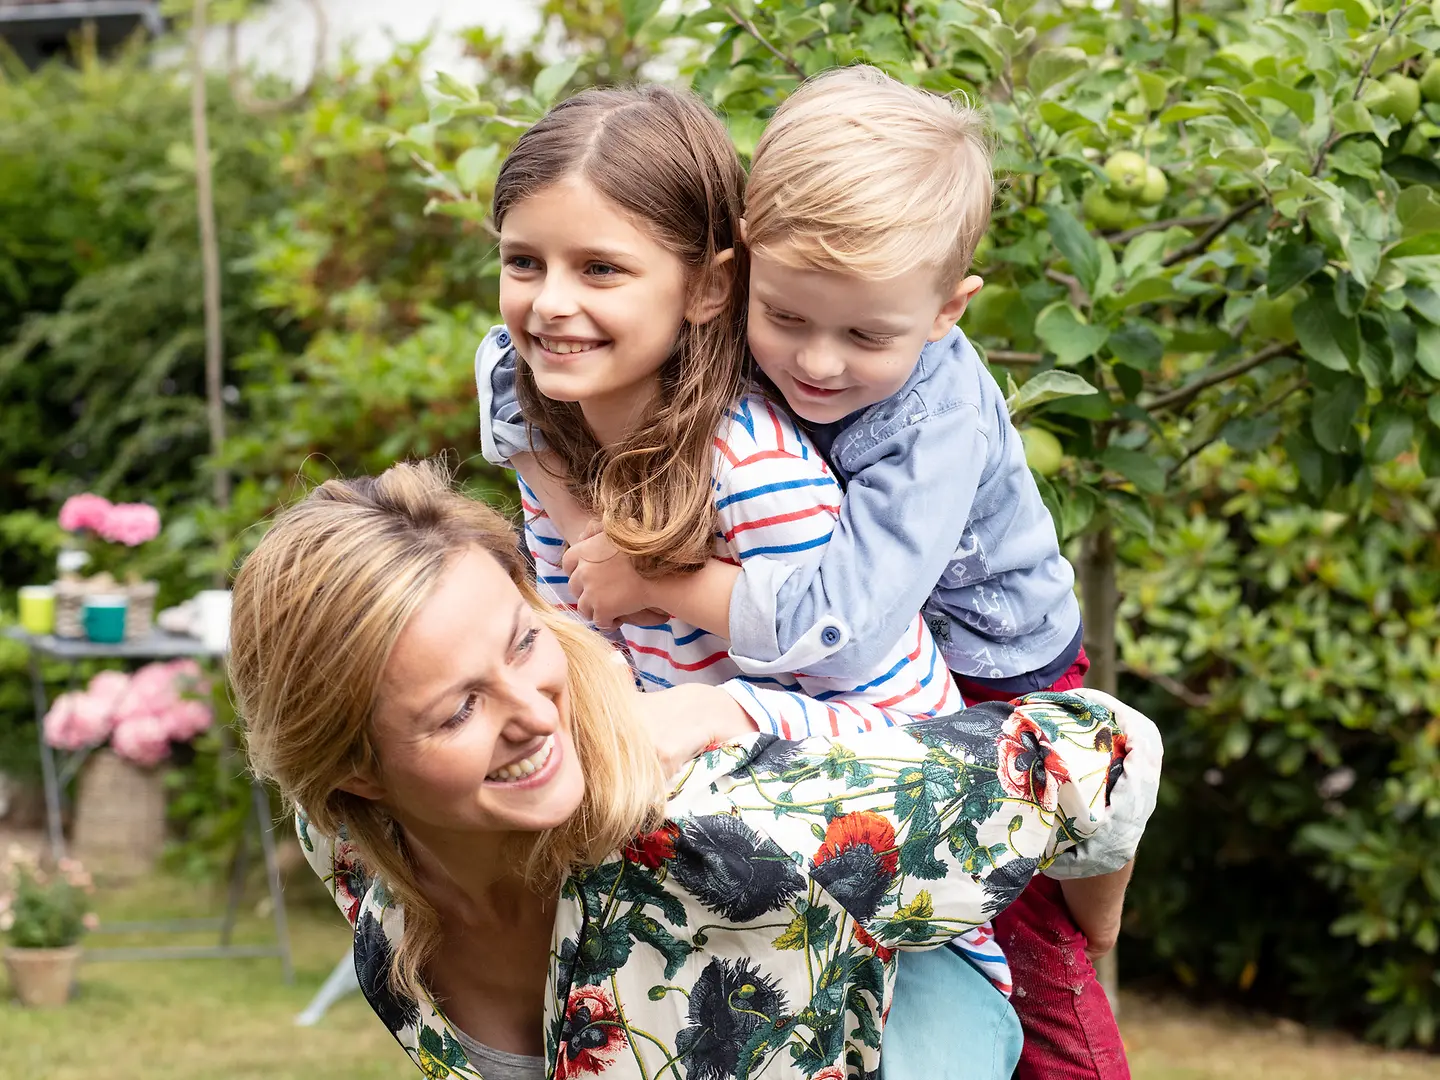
(532, 896)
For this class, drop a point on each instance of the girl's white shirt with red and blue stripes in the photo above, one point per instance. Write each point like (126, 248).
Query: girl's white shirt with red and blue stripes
(775, 498)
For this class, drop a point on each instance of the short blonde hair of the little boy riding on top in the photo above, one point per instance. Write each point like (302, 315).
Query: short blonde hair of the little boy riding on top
(863, 175)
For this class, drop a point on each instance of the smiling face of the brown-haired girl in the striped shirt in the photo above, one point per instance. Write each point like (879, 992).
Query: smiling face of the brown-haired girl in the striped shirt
(593, 302)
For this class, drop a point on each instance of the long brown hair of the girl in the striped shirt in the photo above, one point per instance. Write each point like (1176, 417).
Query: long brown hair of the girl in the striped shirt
(665, 158)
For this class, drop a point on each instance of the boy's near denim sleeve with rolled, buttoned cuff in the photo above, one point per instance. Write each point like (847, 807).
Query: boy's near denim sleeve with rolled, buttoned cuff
(901, 523)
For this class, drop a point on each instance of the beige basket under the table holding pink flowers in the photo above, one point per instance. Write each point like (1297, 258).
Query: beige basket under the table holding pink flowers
(120, 817)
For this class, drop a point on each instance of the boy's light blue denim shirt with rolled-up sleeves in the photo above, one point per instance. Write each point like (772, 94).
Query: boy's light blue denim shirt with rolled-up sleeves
(941, 515)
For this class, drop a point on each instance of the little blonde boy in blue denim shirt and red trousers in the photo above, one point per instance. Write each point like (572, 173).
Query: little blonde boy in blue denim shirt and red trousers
(865, 207)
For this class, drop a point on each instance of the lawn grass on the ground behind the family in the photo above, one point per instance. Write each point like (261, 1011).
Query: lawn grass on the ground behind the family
(234, 1020)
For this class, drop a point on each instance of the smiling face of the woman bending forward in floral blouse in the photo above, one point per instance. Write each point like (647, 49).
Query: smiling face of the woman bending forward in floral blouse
(473, 722)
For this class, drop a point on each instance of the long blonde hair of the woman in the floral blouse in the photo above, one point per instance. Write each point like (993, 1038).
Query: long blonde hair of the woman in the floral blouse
(318, 611)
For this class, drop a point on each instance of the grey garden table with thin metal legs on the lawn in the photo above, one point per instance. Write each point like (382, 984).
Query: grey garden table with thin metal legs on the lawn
(58, 770)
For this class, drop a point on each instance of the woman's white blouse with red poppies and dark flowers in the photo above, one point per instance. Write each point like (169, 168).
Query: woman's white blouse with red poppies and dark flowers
(755, 932)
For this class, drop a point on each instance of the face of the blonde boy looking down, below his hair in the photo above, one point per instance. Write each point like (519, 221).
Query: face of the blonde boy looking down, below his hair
(834, 343)
